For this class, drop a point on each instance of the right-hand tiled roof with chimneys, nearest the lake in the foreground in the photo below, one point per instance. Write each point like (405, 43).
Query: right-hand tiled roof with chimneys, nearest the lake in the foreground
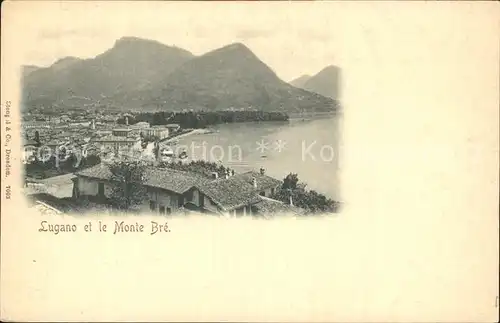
(238, 190)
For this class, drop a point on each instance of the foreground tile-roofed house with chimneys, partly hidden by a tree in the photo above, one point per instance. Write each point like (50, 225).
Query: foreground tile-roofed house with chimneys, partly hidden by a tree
(173, 191)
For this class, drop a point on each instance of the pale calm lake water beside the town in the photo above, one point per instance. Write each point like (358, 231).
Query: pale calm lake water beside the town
(306, 147)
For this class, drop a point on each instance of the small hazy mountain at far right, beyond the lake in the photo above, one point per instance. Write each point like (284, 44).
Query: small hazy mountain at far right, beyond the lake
(326, 82)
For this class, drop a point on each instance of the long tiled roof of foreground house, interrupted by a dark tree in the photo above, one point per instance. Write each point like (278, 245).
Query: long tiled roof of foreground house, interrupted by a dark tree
(165, 178)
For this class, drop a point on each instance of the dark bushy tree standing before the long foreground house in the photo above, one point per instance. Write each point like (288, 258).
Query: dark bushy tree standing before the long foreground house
(128, 177)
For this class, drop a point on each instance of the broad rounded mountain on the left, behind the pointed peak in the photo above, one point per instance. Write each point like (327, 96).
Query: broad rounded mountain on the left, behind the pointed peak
(130, 64)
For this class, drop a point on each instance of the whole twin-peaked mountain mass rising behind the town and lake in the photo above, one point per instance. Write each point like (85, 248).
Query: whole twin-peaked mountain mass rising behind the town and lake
(147, 75)
